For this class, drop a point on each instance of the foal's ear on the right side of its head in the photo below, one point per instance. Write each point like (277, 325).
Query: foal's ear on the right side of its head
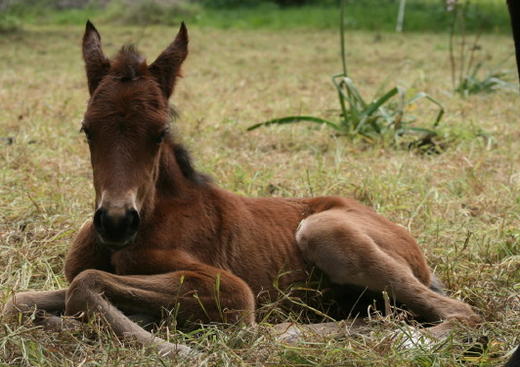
(167, 66)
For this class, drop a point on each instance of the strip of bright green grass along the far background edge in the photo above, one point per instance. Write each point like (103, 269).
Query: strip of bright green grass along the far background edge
(376, 15)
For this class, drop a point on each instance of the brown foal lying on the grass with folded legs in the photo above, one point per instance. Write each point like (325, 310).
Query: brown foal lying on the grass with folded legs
(164, 237)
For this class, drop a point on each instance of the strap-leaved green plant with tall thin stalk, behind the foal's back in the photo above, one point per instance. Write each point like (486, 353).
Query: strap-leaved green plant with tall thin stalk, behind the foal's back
(385, 117)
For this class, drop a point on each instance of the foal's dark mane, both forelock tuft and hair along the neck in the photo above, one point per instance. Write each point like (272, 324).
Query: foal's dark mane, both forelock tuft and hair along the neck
(129, 65)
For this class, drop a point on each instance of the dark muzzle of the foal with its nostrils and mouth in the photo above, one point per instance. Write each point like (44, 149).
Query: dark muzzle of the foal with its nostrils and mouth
(116, 228)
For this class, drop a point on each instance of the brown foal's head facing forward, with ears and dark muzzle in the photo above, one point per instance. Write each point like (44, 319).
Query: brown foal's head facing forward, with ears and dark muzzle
(126, 123)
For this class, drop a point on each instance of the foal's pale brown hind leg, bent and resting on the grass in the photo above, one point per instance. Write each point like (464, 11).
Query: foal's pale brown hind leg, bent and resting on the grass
(349, 255)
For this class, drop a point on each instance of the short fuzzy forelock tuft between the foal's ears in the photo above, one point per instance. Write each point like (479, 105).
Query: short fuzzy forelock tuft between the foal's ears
(128, 64)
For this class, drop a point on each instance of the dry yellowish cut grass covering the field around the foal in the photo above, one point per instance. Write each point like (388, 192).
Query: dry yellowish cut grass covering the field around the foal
(463, 205)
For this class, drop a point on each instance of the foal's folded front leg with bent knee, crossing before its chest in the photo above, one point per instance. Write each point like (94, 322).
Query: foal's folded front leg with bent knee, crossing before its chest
(203, 293)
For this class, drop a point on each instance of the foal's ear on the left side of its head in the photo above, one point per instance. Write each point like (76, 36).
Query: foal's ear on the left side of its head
(96, 63)
